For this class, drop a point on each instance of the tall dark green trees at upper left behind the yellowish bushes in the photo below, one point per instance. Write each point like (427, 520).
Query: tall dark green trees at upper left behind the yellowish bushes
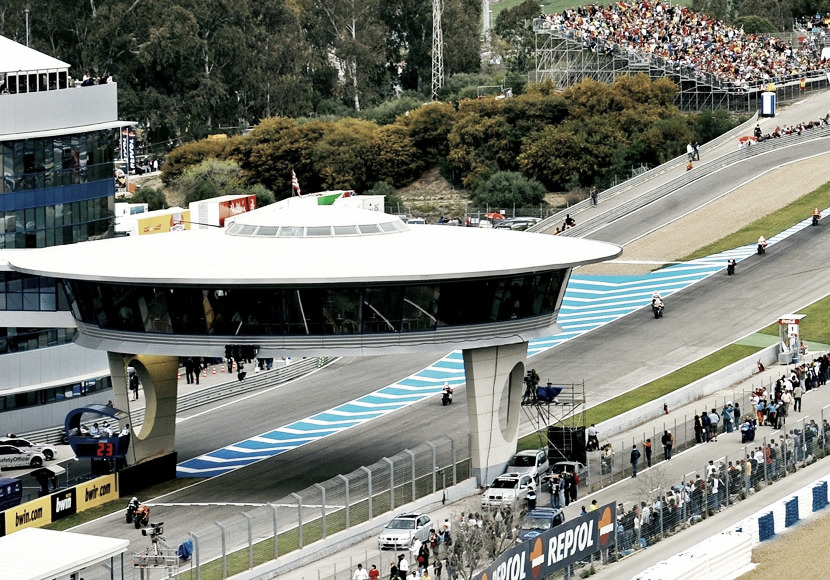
(190, 68)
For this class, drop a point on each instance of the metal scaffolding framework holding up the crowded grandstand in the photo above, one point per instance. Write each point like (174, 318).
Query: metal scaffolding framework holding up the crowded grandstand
(565, 60)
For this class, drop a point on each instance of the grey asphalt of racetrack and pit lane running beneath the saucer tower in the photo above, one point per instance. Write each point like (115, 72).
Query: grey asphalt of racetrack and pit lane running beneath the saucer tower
(611, 360)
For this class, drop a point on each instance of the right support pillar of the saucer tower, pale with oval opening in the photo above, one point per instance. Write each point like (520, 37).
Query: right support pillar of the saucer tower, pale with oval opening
(491, 373)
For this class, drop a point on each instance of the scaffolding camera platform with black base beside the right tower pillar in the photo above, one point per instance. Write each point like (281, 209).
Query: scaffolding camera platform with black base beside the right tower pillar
(558, 406)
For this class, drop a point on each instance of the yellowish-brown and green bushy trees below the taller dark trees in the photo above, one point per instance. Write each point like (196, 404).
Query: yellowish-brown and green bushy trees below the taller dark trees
(582, 136)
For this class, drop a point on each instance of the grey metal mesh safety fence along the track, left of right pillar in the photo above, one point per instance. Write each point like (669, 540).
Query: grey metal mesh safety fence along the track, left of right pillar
(250, 538)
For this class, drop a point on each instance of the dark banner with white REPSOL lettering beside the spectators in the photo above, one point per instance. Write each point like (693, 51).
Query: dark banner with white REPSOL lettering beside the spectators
(555, 549)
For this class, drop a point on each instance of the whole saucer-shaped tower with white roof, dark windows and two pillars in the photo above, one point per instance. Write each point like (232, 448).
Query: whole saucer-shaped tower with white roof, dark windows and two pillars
(318, 280)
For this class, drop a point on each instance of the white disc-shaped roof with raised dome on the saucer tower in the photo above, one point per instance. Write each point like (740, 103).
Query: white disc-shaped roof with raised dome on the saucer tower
(214, 257)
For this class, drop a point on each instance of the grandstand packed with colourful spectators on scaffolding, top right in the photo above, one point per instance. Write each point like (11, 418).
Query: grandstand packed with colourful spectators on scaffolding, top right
(713, 65)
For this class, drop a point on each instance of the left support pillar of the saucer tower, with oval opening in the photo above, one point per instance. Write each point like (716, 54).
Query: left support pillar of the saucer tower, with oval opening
(159, 380)
